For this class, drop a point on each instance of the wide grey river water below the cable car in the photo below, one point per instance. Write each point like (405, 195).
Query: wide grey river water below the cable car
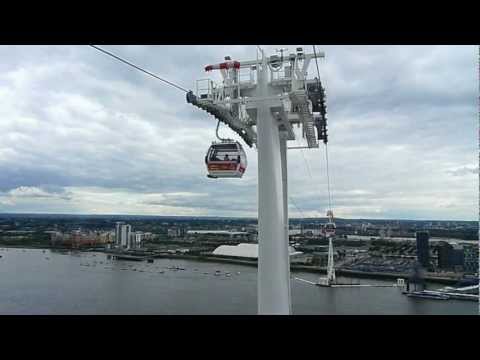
(46, 282)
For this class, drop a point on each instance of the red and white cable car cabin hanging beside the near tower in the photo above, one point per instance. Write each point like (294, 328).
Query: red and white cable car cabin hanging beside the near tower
(226, 160)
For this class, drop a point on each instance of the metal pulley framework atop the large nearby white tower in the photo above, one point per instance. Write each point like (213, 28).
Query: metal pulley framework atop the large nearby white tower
(295, 99)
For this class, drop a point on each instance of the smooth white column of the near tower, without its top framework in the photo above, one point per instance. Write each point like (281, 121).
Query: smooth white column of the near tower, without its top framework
(273, 257)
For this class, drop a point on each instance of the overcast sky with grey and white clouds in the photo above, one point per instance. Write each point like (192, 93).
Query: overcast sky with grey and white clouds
(83, 133)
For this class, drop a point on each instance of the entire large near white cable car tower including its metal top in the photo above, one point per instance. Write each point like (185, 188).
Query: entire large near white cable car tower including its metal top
(261, 100)
